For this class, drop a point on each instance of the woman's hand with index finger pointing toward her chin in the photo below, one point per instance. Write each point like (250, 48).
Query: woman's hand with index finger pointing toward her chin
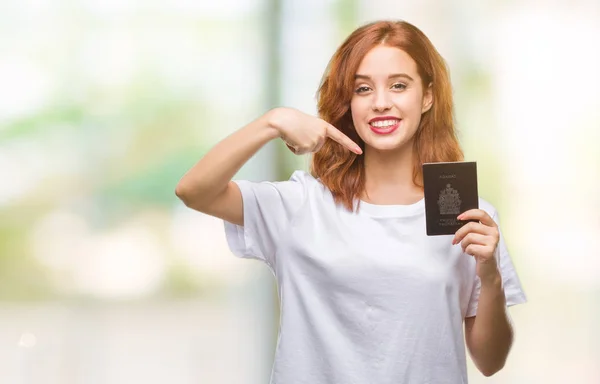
(303, 133)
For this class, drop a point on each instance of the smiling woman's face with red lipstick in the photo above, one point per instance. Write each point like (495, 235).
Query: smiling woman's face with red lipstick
(388, 99)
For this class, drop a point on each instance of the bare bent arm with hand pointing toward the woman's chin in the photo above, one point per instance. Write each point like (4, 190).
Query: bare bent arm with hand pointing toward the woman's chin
(207, 186)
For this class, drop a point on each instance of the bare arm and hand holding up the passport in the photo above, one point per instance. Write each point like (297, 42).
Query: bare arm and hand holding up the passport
(489, 334)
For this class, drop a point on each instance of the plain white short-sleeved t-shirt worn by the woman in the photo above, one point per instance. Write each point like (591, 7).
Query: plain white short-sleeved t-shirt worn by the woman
(365, 297)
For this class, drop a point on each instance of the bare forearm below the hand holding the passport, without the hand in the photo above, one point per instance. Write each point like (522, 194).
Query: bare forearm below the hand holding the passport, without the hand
(492, 334)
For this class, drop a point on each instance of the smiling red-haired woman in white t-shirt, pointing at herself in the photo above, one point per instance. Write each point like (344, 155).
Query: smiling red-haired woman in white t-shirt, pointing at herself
(366, 296)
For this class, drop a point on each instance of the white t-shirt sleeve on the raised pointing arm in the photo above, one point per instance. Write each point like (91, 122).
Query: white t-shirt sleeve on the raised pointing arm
(269, 208)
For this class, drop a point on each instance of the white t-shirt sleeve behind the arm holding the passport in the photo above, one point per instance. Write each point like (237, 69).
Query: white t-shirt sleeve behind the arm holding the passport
(512, 285)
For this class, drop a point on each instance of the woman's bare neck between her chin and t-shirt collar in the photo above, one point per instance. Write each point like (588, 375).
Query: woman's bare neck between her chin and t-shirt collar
(389, 177)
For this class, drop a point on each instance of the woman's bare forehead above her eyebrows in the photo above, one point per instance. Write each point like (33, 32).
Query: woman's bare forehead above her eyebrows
(383, 61)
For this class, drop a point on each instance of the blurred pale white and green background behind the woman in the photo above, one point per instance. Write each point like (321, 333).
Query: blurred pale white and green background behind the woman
(105, 277)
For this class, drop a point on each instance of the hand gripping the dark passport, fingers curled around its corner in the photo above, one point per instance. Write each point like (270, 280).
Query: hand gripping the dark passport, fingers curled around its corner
(480, 240)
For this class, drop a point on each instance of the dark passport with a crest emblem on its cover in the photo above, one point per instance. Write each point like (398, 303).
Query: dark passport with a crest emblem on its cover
(450, 189)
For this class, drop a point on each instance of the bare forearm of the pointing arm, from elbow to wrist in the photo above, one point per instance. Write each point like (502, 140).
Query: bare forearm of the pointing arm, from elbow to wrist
(211, 174)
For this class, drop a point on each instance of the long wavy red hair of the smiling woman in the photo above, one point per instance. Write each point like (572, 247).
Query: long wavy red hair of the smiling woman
(342, 171)
